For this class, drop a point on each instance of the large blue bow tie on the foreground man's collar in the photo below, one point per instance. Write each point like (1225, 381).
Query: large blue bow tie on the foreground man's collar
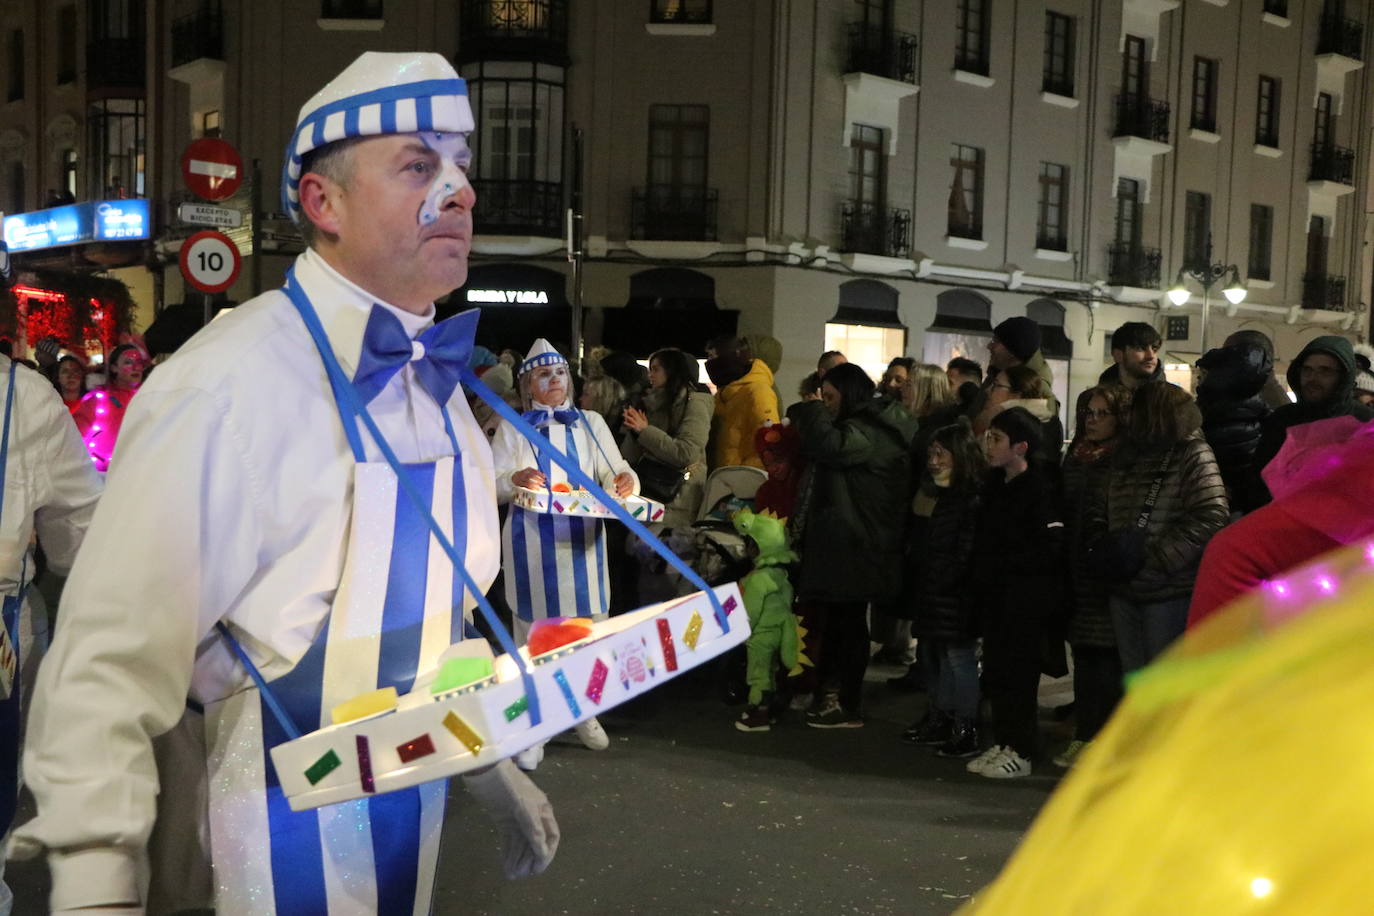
(439, 355)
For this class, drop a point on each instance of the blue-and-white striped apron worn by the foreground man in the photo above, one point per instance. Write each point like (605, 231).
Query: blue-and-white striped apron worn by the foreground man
(399, 606)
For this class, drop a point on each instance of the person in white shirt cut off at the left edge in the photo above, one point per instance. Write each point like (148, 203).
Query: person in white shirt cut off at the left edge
(47, 485)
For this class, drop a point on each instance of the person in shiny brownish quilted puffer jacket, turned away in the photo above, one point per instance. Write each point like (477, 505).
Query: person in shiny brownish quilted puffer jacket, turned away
(1163, 503)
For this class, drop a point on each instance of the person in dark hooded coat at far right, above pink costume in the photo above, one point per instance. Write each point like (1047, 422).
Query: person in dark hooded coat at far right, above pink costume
(1324, 378)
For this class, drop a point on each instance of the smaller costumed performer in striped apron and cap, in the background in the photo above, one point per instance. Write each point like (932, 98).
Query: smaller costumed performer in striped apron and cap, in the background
(556, 566)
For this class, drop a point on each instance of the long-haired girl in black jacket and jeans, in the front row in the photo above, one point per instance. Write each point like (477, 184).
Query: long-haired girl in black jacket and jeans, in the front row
(941, 551)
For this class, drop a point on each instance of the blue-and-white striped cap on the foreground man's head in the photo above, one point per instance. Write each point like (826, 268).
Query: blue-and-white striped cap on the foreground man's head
(377, 94)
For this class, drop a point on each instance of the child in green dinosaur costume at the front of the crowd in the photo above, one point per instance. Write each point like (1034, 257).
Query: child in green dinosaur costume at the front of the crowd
(769, 604)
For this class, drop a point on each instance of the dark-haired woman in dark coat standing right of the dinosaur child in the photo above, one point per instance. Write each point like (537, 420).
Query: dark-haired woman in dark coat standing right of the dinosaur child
(859, 448)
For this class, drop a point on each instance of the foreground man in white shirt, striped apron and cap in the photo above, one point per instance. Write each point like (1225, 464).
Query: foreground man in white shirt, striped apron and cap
(249, 509)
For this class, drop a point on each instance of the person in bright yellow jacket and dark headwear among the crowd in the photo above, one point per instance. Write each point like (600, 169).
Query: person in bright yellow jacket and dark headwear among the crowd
(745, 399)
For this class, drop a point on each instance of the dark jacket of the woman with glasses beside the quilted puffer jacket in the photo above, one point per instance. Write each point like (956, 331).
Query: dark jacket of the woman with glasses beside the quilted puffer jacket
(1083, 483)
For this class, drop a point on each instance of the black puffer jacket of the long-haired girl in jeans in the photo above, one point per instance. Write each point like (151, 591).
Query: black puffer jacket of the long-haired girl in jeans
(938, 568)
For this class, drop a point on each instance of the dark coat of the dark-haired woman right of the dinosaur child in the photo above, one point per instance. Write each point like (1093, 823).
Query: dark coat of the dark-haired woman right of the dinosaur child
(861, 498)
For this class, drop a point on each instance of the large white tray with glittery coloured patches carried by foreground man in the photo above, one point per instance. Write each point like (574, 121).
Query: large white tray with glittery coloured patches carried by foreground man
(446, 727)
